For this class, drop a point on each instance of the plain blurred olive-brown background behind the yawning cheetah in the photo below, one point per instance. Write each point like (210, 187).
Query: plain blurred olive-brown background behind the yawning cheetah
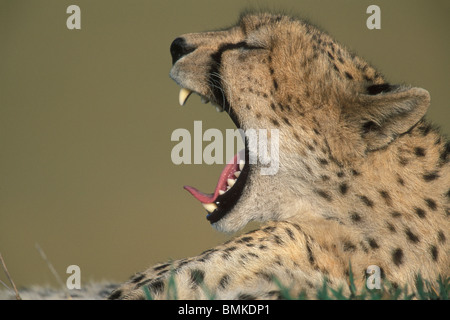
(86, 118)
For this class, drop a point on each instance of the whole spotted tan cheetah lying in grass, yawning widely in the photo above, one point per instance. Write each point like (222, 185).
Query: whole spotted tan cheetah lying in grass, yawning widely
(363, 178)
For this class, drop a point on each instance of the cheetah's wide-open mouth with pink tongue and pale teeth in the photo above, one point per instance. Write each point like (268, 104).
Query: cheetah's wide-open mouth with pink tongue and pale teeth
(231, 181)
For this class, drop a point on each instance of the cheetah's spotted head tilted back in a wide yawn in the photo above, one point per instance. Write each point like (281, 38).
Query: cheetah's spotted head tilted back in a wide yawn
(275, 72)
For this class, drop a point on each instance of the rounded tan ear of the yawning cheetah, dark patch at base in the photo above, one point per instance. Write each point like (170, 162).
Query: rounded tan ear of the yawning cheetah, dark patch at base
(388, 111)
